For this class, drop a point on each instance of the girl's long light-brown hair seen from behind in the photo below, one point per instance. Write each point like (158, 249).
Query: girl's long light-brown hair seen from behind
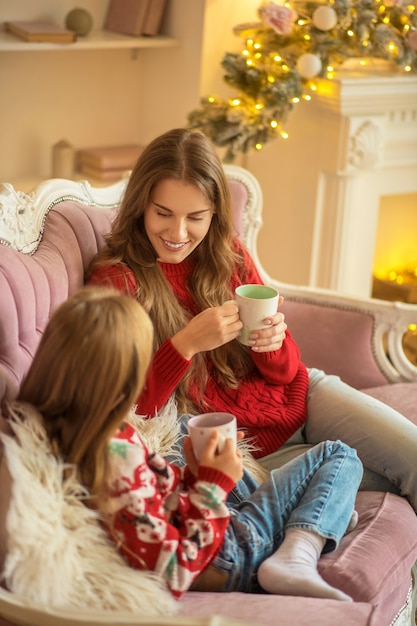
(87, 372)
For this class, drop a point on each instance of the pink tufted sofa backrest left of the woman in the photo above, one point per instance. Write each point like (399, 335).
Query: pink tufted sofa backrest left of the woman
(32, 286)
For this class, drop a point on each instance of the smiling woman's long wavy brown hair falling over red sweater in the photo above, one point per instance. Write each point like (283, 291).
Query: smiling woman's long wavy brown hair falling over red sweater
(186, 155)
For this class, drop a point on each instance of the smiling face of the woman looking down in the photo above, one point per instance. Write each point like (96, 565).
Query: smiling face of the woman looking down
(176, 219)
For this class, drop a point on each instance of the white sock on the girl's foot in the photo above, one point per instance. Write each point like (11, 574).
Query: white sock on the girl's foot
(292, 569)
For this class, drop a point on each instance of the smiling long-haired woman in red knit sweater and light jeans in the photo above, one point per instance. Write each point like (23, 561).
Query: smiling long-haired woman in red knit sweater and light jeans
(172, 248)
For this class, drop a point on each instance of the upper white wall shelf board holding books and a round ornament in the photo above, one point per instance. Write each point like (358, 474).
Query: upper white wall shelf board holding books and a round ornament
(96, 40)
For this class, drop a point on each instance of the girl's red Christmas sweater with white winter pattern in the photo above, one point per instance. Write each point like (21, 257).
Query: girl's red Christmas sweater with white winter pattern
(156, 524)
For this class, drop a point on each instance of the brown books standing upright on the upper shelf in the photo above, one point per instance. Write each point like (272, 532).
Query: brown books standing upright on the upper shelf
(135, 17)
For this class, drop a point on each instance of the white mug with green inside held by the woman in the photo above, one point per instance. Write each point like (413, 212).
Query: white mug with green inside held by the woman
(255, 303)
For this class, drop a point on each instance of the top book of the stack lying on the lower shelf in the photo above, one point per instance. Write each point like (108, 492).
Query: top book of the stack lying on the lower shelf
(122, 157)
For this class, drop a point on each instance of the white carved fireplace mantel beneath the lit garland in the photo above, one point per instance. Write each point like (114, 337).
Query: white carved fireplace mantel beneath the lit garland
(370, 127)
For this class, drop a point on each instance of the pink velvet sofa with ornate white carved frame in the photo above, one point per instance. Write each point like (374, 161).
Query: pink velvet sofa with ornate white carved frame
(47, 238)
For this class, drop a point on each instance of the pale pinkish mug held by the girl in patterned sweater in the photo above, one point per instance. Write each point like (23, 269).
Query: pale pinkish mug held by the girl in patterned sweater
(201, 426)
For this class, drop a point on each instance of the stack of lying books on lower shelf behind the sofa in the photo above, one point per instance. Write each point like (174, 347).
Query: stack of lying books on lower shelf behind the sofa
(108, 162)
